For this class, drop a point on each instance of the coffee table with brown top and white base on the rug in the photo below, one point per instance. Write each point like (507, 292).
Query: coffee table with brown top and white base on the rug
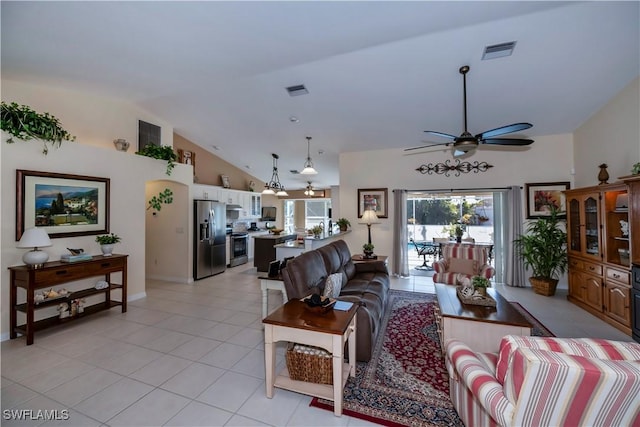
(480, 327)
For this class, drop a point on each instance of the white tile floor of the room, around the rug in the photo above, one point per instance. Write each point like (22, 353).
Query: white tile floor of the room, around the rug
(192, 355)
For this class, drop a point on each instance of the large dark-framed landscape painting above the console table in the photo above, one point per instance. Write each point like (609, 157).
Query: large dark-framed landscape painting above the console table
(63, 205)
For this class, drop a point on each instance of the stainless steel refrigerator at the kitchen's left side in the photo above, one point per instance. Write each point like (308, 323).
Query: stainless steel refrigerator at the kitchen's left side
(209, 246)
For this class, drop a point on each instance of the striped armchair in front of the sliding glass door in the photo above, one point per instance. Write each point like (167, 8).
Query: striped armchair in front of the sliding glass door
(461, 261)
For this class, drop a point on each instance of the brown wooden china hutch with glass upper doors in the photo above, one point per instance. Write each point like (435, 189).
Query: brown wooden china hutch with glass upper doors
(598, 248)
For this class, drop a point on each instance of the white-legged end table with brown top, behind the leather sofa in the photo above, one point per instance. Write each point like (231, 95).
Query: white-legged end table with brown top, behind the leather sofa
(293, 322)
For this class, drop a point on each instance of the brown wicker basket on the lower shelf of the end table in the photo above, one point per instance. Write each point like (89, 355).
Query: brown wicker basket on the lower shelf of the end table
(310, 364)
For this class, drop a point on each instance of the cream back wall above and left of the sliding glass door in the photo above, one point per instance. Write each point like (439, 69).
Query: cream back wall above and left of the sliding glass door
(548, 159)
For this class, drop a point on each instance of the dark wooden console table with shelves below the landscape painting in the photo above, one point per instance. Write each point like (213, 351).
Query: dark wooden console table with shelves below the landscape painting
(56, 273)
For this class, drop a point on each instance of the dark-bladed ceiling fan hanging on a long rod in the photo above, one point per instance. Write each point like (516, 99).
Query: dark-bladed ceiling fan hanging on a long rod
(466, 142)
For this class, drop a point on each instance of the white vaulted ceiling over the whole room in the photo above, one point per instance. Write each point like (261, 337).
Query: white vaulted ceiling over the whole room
(378, 73)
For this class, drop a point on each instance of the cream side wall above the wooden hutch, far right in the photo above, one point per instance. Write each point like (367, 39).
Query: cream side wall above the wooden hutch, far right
(611, 136)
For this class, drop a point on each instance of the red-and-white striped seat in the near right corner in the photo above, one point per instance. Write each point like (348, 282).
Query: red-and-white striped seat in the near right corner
(542, 381)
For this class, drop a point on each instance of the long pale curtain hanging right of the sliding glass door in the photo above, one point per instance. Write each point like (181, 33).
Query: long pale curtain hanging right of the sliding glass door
(515, 268)
